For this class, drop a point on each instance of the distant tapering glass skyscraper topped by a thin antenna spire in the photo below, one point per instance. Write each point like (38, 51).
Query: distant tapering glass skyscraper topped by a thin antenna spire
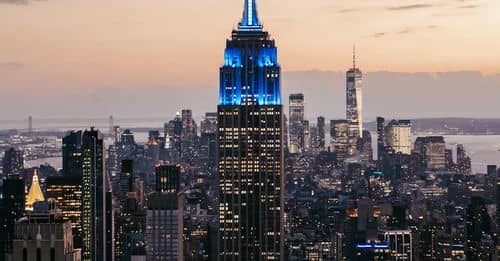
(354, 104)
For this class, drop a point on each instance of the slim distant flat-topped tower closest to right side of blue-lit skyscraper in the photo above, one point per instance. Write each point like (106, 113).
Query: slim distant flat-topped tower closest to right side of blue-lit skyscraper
(296, 126)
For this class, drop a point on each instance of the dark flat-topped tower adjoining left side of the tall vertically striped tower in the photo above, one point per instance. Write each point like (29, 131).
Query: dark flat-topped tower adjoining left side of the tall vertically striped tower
(72, 154)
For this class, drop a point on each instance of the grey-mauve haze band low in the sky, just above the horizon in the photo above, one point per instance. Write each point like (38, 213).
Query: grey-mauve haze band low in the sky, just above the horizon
(389, 94)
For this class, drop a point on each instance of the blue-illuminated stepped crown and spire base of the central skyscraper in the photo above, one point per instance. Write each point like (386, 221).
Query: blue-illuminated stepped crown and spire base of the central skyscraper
(251, 73)
